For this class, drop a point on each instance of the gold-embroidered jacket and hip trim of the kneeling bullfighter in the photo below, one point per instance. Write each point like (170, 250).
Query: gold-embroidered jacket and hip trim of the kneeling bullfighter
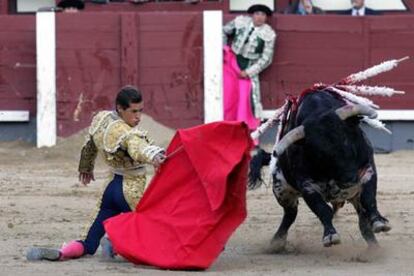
(124, 149)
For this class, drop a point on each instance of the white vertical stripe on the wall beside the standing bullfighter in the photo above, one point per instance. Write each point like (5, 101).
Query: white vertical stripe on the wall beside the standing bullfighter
(213, 65)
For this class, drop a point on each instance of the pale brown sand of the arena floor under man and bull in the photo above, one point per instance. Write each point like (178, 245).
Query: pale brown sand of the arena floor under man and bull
(42, 204)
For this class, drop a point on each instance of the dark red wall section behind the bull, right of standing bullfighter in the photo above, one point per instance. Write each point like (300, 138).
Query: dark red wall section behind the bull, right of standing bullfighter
(328, 48)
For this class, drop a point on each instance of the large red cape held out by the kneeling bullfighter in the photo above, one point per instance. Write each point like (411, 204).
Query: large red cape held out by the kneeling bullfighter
(194, 202)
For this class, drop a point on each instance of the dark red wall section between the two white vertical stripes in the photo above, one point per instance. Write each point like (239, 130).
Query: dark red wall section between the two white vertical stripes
(160, 53)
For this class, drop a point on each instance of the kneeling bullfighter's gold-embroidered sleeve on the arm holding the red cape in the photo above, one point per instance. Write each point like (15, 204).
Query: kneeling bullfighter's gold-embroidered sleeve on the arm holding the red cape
(140, 148)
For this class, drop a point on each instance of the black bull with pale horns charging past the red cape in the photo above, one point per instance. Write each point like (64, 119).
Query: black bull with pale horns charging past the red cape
(324, 156)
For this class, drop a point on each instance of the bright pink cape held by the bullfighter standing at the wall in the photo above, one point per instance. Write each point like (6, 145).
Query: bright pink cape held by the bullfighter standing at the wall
(237, 98)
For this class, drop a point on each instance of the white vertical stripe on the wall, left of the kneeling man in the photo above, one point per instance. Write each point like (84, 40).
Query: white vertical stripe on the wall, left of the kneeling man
(46, 78)
